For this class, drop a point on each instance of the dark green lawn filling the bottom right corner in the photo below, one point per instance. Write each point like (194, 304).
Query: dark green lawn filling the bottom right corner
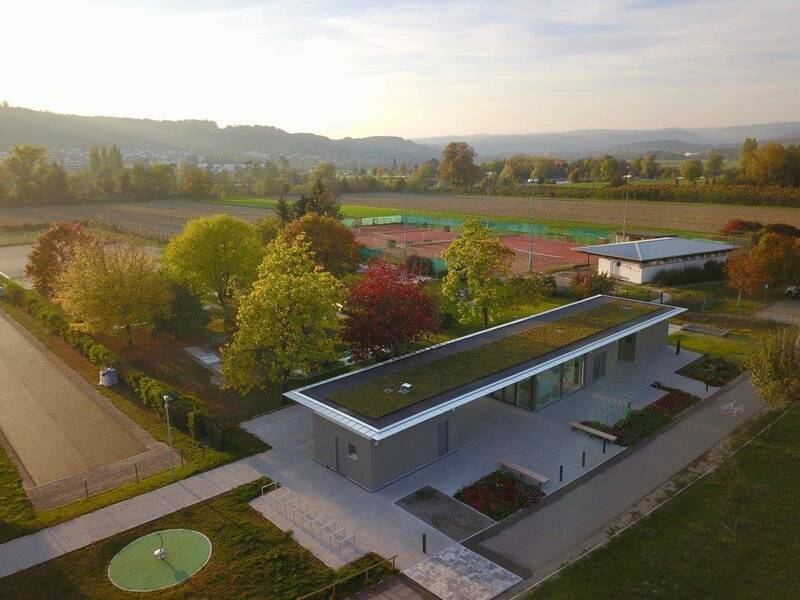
(734, 535)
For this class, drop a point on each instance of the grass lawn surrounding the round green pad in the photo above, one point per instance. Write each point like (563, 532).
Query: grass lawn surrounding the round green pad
(251, 558)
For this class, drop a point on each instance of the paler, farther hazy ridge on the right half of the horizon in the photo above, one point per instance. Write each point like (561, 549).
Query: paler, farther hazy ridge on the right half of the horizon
(599, 141)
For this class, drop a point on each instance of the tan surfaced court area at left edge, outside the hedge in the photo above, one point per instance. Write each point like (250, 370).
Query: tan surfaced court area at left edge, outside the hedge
(43, 399)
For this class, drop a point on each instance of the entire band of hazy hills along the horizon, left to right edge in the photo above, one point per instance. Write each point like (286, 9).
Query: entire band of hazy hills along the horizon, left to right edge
(238, 142)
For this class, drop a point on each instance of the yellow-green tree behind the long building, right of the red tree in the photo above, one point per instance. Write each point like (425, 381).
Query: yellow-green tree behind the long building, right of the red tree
(477, 262)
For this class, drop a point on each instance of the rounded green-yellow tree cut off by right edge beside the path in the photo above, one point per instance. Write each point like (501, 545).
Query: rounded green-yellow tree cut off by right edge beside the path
(774, 364)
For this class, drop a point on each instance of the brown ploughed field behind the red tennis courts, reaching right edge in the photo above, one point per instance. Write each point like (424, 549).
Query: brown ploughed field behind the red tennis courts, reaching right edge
(702, 218)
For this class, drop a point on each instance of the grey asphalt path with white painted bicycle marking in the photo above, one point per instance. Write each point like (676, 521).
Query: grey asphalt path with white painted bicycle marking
(536, 544)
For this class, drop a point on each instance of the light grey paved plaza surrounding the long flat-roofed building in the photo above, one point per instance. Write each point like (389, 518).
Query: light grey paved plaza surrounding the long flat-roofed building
(489, 432)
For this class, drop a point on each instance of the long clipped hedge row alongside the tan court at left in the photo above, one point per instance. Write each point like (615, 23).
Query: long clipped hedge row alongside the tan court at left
(186, 412)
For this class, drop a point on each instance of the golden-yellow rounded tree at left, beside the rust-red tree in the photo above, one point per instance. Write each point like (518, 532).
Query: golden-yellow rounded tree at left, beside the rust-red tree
(110, 289)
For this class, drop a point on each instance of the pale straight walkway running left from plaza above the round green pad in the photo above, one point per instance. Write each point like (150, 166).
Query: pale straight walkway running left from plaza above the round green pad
(44, 545)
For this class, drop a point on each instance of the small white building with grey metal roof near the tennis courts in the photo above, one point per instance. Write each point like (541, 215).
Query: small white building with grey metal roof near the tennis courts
(640, 261)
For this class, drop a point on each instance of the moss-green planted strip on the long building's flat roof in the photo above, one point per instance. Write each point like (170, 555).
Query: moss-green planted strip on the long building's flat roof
(372, 400)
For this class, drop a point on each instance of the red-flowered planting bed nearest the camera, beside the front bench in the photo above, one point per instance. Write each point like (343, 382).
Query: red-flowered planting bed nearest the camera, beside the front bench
(499, 495)
